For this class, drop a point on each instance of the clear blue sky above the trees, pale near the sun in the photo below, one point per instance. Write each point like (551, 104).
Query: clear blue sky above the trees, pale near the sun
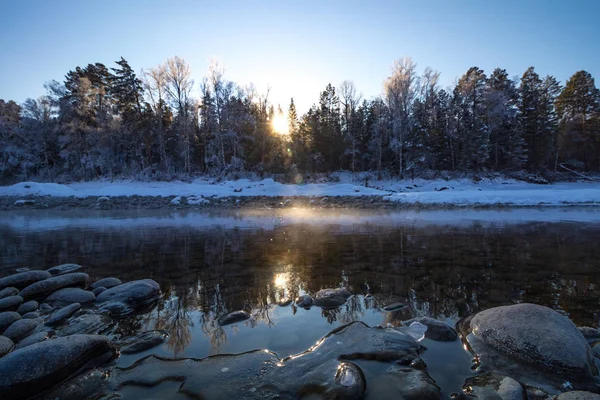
(297, 47)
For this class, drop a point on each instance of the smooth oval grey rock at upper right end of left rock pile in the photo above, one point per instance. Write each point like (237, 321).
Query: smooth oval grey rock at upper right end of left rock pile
(135, 294)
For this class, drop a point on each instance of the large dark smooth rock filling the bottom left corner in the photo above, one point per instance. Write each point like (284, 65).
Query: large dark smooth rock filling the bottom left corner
(35, 368)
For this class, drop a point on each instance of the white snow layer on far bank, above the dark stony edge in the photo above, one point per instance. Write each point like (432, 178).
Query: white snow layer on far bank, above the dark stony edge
(461, 192)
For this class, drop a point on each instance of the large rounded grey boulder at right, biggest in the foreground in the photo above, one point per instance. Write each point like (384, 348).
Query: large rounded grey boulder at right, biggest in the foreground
(534, 335)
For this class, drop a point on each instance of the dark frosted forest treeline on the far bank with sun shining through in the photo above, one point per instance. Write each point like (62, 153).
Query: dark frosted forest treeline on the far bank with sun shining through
(106, 122)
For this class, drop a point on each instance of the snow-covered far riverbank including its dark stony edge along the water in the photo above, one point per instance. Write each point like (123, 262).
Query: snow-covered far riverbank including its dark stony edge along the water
(267, 193)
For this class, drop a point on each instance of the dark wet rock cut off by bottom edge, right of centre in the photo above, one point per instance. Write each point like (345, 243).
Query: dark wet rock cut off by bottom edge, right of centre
(404, 383)
